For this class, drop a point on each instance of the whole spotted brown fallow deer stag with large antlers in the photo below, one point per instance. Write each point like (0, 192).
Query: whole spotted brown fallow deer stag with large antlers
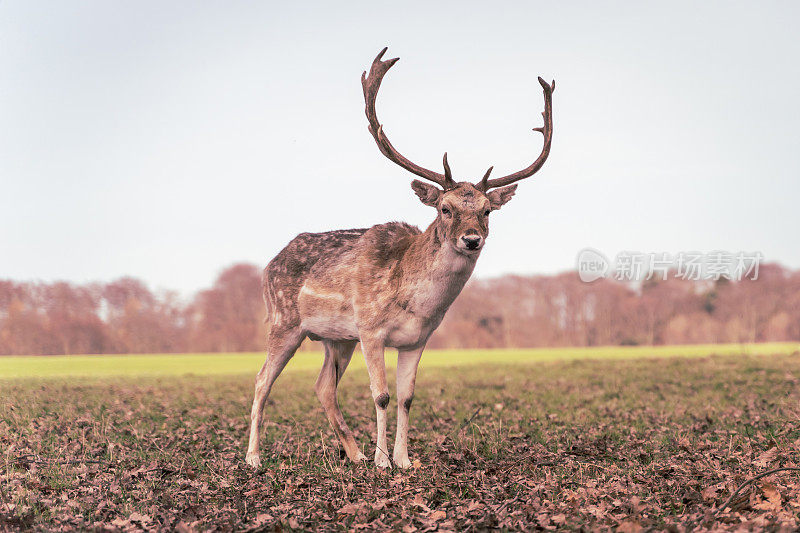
(387, 286)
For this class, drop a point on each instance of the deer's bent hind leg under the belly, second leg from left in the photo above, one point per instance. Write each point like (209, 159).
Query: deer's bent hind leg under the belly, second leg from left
(337, 357)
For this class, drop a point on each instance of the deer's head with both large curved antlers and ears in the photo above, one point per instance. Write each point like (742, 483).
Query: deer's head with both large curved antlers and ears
(463, 207)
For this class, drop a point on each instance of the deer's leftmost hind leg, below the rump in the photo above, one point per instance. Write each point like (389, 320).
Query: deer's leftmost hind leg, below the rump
(283, 342)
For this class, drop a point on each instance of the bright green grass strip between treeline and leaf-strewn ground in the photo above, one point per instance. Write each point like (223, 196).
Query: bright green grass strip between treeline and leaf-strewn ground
(243, 363)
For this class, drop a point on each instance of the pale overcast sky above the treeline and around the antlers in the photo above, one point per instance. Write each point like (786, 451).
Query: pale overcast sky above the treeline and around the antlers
(168, 140)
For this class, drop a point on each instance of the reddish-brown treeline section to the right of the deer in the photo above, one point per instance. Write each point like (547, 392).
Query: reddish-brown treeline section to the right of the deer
(519, 312)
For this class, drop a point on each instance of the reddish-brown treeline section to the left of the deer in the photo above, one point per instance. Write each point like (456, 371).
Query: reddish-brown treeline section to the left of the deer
(124, 316)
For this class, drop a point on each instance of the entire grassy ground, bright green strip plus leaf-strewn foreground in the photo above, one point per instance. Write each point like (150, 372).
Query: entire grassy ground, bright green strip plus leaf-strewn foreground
(556, 439)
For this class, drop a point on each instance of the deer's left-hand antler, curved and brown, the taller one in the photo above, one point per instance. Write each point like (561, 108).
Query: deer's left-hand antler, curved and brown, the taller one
(371, 83)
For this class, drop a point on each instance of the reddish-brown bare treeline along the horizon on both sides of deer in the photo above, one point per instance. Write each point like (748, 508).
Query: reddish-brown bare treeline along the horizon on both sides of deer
(124, 316)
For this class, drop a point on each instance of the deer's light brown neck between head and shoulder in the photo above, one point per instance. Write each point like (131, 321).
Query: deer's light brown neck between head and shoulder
(433, 274)
